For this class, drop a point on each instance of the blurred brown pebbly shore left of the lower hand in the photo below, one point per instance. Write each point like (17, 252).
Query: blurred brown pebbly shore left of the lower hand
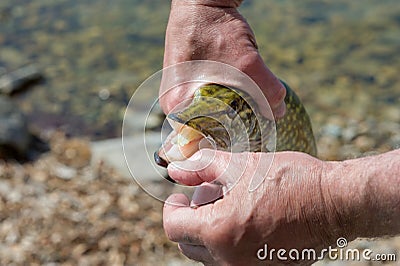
(89, 221)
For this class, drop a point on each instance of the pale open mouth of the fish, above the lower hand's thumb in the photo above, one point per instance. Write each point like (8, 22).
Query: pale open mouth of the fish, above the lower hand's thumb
(181, 143)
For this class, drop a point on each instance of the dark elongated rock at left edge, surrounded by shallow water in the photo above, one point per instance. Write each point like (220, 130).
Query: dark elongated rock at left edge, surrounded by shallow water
(19, 79)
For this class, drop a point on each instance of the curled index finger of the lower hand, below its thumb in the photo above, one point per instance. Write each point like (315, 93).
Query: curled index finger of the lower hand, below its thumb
(182, 223)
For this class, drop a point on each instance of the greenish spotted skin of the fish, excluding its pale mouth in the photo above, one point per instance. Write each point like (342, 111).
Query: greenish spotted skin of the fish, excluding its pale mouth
(226, 115)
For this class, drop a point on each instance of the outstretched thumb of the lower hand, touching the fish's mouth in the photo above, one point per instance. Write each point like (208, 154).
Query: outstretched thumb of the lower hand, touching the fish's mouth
(204, 166)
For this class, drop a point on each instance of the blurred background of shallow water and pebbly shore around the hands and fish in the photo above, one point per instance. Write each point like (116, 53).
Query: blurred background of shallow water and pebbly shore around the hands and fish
(69, 68)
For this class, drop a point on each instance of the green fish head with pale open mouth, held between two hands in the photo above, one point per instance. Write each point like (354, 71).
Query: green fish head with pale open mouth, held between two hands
(218, 117)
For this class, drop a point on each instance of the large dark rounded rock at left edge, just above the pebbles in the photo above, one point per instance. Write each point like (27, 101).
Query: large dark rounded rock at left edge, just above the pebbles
(14, 135)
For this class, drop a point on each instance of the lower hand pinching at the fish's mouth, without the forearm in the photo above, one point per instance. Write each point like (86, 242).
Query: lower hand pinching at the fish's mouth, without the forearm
(289, 209)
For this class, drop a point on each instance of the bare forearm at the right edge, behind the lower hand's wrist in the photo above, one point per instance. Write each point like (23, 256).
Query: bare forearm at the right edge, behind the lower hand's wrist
(364, 195)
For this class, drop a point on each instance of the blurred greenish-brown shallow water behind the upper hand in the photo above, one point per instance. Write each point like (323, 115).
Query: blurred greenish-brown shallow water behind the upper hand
(340, 56)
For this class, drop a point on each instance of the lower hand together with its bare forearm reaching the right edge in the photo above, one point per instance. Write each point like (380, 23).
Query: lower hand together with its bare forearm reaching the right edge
(304, 203)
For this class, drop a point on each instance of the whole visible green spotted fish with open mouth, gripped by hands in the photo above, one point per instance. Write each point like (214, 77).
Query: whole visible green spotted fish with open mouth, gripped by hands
(224, 118)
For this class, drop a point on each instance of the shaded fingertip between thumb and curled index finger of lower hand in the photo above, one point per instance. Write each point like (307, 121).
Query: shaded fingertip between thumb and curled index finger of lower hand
(206, 193)
